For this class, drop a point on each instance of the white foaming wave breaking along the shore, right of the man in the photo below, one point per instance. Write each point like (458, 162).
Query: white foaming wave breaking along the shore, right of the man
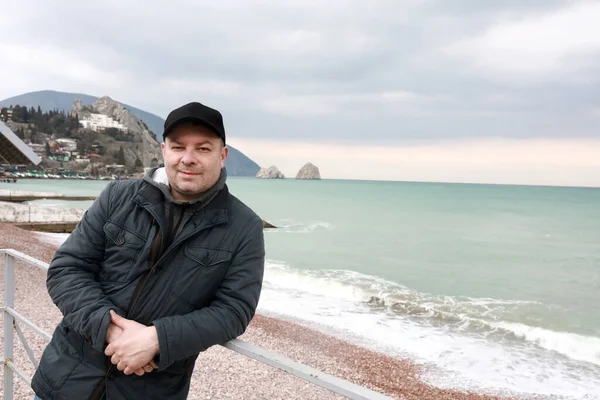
(487, 317)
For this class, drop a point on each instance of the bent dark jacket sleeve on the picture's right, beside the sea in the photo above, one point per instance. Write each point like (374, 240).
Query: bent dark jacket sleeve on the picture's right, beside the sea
(227, 316)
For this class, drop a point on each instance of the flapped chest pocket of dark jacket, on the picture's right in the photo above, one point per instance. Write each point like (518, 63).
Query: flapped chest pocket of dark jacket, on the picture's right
(199, 275)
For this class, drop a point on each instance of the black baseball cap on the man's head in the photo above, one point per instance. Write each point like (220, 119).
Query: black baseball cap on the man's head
(197, 113)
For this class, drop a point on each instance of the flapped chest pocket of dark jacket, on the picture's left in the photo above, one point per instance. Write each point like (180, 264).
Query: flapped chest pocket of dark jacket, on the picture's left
(123, 248)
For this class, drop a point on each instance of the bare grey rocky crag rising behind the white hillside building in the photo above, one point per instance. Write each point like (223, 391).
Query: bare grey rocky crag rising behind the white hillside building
(143, 142)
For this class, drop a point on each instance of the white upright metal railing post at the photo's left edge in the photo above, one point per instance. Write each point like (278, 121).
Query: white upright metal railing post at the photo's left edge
(9, 301)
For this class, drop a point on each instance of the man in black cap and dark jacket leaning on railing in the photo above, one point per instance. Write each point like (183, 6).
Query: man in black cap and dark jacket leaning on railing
(158, 270)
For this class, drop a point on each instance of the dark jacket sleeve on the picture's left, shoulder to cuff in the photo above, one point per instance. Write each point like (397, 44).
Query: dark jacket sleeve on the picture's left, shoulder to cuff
(71, 279)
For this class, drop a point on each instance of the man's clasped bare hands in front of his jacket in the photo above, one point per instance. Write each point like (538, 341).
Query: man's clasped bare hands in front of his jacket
(131, 345)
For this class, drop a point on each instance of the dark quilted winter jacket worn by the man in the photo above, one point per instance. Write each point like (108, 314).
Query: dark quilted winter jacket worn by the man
(201, 290)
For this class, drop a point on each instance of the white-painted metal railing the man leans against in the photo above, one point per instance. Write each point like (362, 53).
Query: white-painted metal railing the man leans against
(12, 319)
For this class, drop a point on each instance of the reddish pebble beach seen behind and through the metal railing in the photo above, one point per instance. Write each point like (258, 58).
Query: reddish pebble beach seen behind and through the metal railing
(223, 374)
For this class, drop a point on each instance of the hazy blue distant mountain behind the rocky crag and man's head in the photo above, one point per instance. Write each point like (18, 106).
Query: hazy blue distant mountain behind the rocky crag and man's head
(237, 164)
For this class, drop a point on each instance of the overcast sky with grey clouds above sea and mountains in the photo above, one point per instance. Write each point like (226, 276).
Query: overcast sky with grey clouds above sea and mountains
(461, 90)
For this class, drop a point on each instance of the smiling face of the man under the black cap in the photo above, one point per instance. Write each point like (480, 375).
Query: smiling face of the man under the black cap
(193, 156)
